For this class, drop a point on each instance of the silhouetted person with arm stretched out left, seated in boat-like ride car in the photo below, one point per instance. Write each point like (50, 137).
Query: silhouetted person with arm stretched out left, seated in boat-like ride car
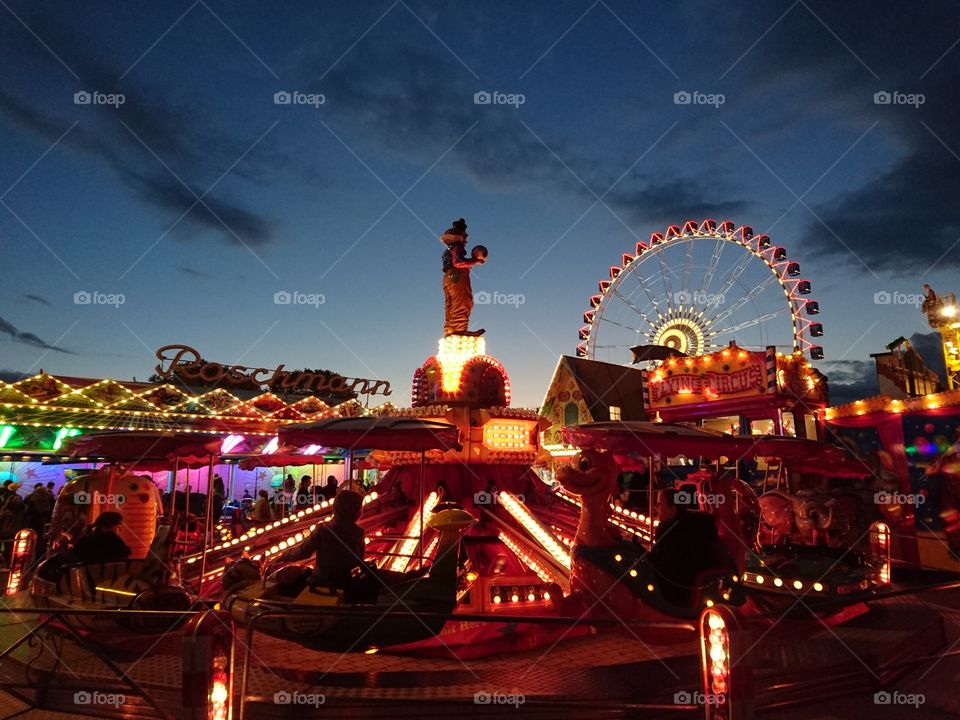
(338, 545)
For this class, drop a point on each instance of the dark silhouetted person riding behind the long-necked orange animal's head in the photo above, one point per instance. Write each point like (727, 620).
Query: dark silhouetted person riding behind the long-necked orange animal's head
(684, 546)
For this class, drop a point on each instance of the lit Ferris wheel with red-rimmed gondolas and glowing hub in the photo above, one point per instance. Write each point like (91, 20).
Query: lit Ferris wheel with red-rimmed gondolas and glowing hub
(697, 287)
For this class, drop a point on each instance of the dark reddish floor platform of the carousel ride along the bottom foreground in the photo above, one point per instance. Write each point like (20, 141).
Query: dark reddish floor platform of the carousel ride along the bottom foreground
(603, 675)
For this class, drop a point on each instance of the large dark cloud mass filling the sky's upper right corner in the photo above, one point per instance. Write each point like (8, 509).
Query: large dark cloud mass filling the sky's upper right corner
(820, 67)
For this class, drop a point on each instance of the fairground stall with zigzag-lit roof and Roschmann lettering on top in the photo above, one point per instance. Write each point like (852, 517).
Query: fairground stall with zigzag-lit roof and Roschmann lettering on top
(243, 406)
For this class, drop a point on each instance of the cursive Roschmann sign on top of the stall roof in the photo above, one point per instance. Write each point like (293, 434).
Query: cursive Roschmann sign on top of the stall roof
(185, 363)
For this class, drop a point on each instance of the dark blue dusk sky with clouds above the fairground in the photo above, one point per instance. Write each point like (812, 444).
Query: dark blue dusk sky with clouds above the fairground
(346, 199)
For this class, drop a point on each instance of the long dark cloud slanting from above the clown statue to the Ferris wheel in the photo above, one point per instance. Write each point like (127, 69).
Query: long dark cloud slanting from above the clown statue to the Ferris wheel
(415, 103)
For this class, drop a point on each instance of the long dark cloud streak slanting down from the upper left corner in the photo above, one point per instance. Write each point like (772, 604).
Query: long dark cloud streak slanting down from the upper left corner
(187, 139)
